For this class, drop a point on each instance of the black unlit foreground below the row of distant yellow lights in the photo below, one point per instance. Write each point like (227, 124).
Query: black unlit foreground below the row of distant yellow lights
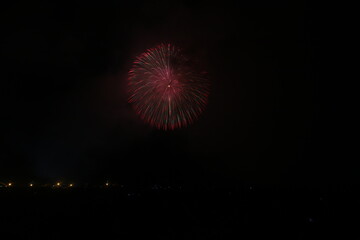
(115, 213)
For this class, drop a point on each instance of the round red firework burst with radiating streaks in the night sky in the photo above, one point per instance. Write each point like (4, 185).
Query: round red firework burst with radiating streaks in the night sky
(165, 90)
